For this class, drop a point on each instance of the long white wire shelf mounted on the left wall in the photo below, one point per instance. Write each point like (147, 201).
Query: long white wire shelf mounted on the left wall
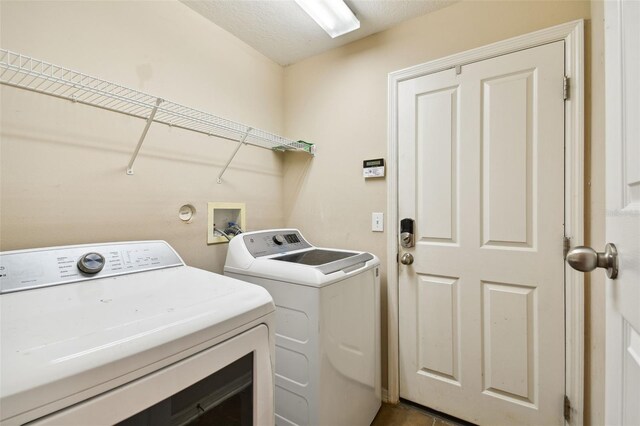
(22, 71)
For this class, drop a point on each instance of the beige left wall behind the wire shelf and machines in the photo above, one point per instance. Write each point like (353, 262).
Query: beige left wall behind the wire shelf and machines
(63, 166)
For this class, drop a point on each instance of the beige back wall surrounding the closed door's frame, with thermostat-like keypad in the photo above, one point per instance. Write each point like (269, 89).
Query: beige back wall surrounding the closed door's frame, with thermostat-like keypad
(339, 101)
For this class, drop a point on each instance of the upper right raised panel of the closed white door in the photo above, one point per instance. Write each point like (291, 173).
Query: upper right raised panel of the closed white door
(510, 193)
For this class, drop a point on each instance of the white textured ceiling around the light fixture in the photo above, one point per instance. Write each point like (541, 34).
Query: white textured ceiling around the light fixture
(283, 32)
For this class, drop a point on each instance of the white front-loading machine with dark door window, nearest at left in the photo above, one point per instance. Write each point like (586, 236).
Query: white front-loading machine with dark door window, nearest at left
(126, 332)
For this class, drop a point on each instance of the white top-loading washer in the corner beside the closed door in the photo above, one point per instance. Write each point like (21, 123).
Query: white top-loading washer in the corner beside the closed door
(327, 325)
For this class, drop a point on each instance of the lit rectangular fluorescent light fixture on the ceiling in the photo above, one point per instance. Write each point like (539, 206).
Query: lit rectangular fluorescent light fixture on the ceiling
(334, 16)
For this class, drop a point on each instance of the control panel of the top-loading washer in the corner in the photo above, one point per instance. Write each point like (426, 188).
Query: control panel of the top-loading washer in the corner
(266, 243)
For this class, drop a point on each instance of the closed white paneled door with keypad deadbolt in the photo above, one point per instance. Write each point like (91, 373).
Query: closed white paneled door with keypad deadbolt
(481, 170)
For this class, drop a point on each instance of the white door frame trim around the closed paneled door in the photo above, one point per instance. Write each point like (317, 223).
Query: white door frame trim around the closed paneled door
(572, 33)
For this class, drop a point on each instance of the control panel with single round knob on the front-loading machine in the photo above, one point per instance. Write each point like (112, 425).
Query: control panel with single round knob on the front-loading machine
(28, 269)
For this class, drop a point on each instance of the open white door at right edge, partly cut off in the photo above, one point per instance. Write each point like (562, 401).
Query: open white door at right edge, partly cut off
(622, 19)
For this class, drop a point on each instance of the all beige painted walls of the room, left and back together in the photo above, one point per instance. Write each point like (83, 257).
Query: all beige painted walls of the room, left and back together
(62, 177)
